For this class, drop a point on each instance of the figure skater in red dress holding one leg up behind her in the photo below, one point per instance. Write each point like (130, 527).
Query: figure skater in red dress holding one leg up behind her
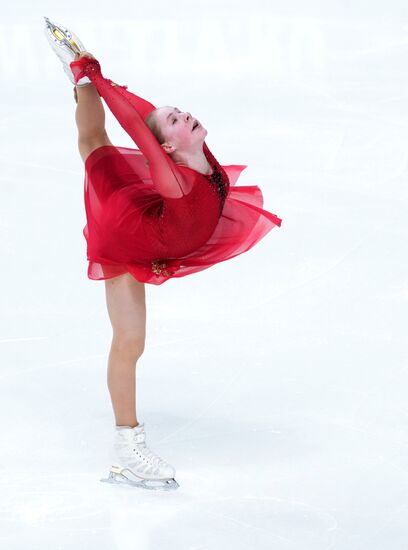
(161, 211)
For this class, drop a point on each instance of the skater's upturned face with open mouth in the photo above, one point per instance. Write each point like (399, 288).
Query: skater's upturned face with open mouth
(179, 128)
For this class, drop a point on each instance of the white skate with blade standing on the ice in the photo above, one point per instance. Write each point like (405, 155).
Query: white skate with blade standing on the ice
(135, 464)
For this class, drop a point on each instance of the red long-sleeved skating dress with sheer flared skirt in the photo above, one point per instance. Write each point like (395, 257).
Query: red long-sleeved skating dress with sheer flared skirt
(151, 217)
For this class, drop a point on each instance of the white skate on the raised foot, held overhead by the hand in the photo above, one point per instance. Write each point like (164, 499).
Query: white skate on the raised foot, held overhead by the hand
(65, 44)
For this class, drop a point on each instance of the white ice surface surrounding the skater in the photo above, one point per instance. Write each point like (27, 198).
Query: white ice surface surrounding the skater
(275, 382)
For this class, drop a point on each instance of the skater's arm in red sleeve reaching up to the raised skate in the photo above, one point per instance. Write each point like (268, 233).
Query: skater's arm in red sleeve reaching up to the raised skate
(130, 110)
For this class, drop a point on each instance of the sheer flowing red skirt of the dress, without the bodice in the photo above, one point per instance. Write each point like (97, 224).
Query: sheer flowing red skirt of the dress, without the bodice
(242, 224)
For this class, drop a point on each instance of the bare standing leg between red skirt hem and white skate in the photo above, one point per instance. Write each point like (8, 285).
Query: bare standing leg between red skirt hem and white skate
(125, 299)
